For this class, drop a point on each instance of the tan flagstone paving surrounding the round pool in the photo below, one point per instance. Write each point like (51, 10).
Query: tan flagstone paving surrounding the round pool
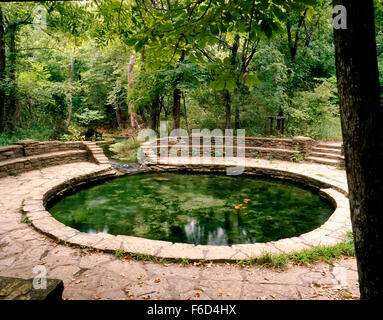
(103, 276)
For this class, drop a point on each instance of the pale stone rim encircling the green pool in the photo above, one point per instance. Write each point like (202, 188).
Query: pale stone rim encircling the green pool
(329, 233)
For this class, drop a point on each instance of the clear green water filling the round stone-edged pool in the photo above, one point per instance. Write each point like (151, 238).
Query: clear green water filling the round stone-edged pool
(194, 208)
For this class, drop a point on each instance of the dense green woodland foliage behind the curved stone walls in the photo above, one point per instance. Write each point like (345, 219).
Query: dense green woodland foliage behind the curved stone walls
(225, 47)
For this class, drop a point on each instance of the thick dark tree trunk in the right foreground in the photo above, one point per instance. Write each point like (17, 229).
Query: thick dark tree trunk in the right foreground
(362, 119)
